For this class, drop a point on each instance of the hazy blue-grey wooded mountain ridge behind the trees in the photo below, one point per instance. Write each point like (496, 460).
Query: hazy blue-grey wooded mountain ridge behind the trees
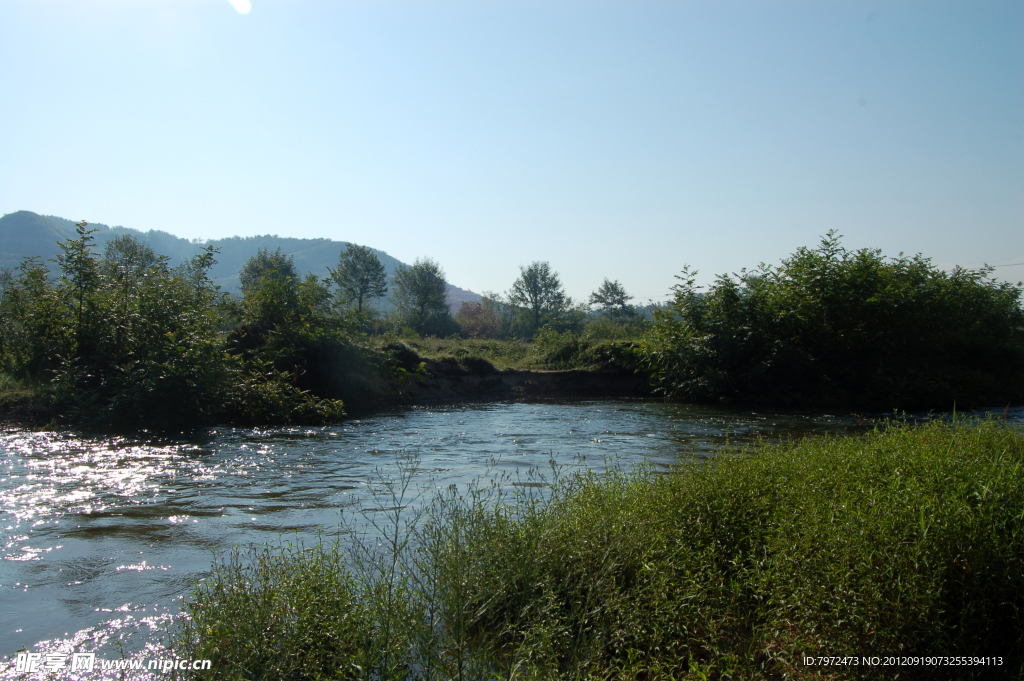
(25, 234)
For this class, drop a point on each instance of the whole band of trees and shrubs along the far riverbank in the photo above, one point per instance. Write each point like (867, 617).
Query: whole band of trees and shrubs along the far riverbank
(126, 342)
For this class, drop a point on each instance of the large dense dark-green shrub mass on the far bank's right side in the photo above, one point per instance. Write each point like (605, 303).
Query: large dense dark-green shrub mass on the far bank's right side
(832, 327)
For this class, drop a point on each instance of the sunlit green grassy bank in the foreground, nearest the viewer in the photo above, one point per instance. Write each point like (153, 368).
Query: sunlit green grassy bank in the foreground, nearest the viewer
(909, 542)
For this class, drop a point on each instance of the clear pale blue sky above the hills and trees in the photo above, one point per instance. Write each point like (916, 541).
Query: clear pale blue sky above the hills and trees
(621, 140)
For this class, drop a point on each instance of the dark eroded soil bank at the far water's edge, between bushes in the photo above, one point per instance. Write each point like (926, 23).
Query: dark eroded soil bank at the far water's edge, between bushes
(449, 381)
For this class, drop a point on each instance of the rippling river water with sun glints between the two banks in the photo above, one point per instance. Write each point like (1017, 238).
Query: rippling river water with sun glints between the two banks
(104, 537)
